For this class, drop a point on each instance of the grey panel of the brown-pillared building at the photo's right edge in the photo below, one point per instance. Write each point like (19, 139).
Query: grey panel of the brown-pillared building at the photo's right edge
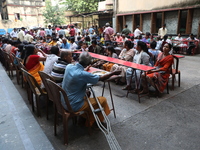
(196, 21)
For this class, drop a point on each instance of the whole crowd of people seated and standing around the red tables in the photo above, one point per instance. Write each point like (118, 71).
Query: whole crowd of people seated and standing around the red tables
(68, 69)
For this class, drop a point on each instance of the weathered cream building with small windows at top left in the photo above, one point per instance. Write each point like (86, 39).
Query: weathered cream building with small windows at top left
(18, 13)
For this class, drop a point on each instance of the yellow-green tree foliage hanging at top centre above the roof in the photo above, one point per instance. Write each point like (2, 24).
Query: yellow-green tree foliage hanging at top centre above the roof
(81, 6)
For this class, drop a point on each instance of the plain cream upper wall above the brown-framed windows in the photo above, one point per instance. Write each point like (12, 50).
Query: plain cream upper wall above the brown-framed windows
(144, 5)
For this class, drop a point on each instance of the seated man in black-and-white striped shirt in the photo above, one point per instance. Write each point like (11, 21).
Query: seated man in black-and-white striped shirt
(59, 66)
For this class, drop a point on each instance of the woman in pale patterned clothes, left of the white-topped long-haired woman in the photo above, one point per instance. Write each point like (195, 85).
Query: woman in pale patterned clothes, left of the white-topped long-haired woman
(126, 54)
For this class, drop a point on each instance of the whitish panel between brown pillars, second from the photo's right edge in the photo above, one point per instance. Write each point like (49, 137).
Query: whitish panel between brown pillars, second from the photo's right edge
(171, 22)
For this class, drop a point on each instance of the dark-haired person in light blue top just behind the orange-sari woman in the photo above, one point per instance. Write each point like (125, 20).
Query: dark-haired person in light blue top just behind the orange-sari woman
(153, 52)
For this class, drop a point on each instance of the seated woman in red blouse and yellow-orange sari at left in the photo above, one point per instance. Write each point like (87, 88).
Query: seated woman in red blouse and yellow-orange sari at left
(32, 61)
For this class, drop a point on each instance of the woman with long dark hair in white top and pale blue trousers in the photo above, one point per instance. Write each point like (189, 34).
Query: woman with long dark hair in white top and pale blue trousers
(141, 57)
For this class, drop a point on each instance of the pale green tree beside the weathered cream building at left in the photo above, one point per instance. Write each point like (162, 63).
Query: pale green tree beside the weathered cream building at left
(54, 14)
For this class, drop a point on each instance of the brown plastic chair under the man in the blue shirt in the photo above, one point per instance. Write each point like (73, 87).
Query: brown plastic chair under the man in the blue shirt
(57, 91)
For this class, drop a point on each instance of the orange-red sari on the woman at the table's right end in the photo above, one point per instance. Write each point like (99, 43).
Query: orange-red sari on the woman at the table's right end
(160, 79)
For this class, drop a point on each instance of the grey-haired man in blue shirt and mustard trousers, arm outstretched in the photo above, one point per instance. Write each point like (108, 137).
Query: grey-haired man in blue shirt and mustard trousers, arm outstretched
(75, 82)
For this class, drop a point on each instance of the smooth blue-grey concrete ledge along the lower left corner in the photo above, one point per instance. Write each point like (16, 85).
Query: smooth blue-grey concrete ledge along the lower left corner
(18, 128)
